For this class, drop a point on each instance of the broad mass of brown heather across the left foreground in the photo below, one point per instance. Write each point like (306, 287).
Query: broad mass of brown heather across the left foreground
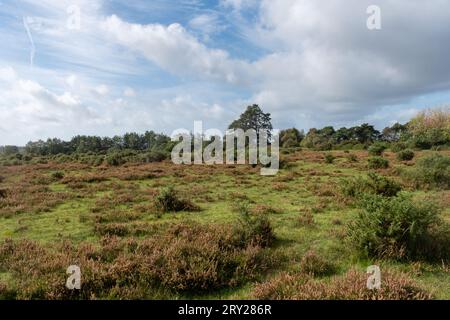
(183, 258)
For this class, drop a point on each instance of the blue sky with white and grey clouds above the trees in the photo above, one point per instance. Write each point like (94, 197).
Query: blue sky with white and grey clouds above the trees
(106, 67)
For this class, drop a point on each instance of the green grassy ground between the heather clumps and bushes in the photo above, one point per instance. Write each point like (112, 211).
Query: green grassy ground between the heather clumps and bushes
(307, 185)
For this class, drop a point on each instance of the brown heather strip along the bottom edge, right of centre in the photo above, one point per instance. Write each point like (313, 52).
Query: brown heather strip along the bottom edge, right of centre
(350, 286)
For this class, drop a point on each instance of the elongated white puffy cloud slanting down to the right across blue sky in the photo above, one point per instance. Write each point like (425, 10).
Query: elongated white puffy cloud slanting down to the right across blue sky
(176, 50)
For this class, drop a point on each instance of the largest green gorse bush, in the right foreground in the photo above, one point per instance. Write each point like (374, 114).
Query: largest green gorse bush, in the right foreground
(392, 227)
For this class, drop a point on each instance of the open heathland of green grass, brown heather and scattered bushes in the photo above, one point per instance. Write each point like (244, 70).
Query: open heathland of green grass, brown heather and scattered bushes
(141, 227)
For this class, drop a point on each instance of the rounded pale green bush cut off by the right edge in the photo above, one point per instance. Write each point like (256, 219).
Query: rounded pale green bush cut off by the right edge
(431, 171)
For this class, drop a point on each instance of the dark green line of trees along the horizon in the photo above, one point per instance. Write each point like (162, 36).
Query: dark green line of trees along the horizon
(429, 129)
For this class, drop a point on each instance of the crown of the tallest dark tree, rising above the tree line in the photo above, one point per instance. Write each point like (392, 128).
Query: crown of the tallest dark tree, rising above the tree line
(253, 118)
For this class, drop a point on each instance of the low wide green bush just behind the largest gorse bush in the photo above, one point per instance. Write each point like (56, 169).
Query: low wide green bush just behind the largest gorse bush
(374, 184)
